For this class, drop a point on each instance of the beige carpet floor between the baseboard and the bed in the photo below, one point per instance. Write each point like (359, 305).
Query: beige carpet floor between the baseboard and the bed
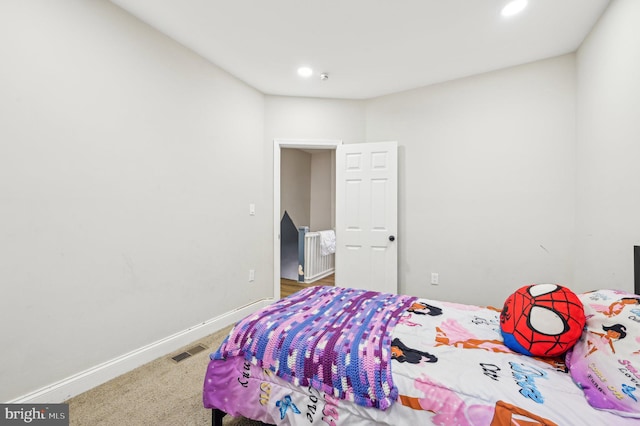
(161, 392)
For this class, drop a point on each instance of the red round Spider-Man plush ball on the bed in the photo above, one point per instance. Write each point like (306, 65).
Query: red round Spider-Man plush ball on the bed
(542, 320)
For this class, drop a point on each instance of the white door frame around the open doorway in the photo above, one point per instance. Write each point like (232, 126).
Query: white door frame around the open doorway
(278, 144)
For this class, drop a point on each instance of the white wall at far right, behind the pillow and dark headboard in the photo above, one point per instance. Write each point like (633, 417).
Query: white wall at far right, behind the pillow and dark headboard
(608, 154)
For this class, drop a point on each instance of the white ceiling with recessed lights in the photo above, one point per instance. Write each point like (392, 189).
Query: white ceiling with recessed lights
(369, 48)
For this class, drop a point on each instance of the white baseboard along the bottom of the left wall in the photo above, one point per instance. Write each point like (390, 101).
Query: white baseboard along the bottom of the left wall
(78, 383)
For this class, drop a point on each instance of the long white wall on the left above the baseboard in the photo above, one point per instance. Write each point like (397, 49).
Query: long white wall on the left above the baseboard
(127, 165)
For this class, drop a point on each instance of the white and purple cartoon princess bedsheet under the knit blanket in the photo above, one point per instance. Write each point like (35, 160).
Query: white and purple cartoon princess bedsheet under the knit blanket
(449, 366)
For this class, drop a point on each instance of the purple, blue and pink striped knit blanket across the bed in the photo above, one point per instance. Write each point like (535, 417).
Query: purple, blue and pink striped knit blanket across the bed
(337, 340)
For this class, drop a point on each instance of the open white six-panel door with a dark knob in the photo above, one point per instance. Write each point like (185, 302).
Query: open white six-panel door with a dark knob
(366, 216)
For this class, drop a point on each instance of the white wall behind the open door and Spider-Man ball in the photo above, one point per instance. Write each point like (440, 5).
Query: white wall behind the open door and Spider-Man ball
(486, 180)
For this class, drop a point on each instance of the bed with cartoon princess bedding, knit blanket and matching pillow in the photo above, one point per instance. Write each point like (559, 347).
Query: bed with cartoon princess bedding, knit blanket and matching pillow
(340, 356)
